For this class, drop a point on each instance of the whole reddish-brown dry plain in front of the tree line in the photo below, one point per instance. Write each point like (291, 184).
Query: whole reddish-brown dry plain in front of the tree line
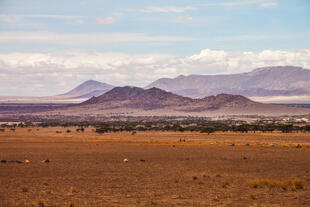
(87, 169)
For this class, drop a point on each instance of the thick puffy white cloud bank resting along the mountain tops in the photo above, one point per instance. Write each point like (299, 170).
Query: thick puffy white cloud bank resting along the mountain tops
(58, 72)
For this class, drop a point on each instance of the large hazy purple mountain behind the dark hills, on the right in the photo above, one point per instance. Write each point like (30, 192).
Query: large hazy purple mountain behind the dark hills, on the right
(267, 81)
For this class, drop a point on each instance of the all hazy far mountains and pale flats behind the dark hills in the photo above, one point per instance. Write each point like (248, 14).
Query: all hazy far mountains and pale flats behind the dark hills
(259, 84)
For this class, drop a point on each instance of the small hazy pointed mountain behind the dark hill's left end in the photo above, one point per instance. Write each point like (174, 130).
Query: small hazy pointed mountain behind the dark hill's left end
(88, 89)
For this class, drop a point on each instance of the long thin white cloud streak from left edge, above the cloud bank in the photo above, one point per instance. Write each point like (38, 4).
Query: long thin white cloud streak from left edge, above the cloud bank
(84, 38)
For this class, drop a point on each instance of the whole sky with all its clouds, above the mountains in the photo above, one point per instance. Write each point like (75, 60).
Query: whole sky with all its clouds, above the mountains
(49, 47)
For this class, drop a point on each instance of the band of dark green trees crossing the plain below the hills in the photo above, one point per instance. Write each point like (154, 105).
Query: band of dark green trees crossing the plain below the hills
(203, 126)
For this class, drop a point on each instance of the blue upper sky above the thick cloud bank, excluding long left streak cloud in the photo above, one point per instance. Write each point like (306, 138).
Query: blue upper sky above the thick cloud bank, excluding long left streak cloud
(225, 25)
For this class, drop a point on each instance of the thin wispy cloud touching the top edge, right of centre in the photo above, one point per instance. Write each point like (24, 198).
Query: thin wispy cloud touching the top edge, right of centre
(261, 3)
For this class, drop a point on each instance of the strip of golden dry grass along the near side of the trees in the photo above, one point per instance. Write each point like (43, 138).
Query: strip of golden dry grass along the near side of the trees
(157, 138)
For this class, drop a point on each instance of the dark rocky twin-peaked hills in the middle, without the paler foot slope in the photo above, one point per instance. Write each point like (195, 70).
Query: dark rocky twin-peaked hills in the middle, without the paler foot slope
(155, 98)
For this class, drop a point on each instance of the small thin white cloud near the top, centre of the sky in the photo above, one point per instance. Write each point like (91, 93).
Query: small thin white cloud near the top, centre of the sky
(162, 9)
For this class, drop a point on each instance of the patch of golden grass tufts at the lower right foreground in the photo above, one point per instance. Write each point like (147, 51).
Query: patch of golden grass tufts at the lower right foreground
(294, 184)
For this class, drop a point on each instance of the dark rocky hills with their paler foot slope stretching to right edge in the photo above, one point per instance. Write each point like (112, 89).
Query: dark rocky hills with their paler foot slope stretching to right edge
(134, 101)
